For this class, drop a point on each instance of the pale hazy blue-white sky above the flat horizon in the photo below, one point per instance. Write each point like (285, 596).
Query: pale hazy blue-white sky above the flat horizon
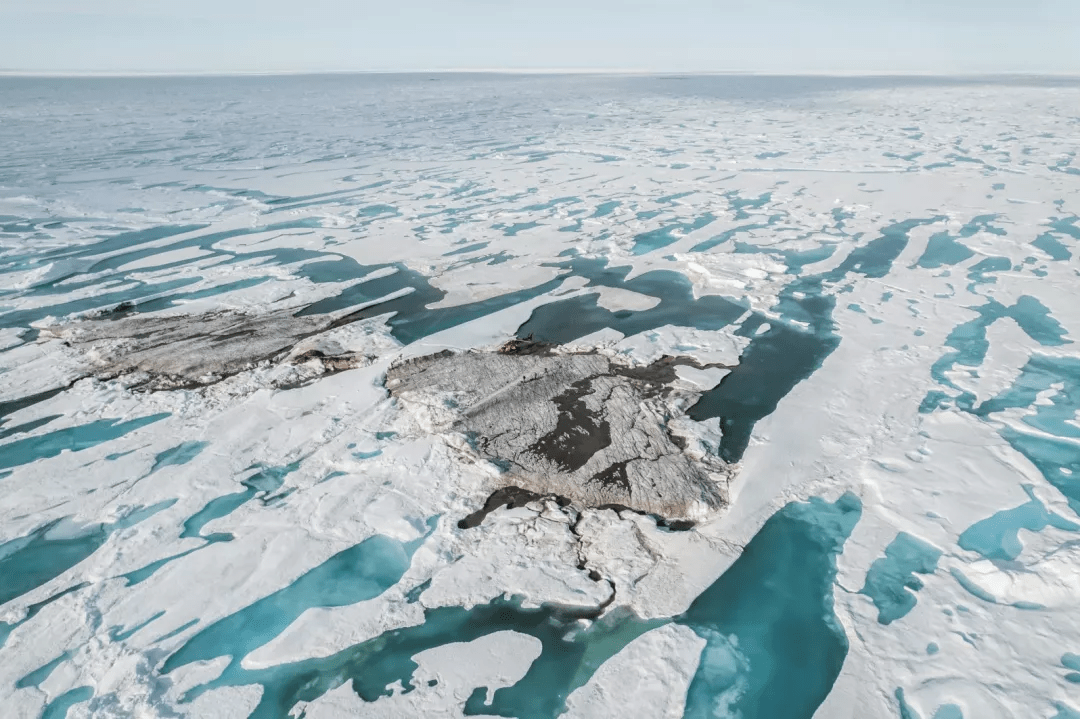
(677, 36)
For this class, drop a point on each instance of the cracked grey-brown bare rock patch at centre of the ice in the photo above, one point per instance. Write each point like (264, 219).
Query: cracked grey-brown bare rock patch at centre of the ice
(579, 426)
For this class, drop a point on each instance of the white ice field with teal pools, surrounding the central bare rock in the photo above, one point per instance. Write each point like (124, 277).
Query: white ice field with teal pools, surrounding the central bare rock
(889, 267)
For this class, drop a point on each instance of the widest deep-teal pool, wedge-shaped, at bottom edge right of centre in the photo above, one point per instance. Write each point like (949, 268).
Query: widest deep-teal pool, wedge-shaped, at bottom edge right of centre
(773, 612)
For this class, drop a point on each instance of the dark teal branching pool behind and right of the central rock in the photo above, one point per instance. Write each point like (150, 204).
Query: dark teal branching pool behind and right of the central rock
(774, 362)
